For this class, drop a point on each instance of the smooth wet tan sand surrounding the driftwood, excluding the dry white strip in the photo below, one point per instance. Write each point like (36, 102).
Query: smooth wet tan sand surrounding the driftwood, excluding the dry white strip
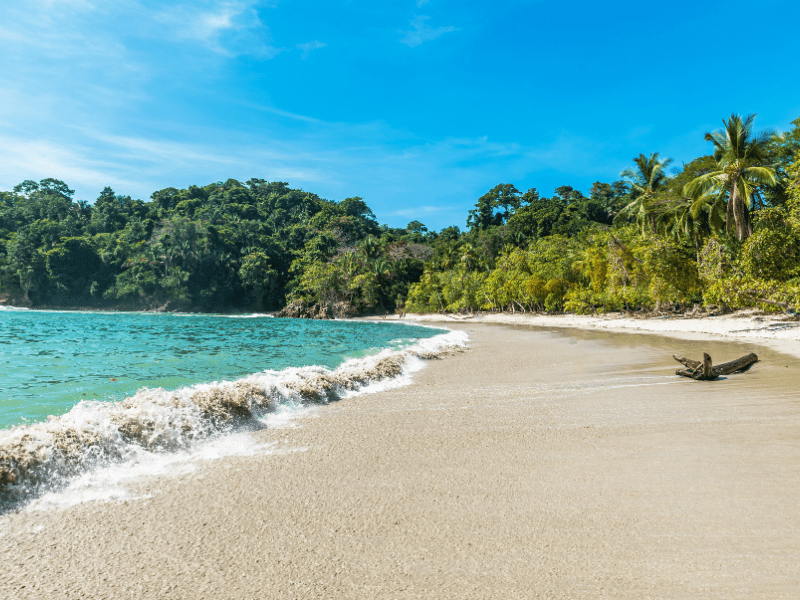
(538, 464)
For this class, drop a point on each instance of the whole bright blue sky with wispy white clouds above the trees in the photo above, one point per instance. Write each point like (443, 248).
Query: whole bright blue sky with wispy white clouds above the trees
(418, 106)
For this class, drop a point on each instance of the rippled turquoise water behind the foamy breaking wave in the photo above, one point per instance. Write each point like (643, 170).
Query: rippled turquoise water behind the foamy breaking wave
(50, 361)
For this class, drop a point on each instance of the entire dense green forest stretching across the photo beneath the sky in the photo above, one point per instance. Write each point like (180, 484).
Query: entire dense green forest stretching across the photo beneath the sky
(720, 232)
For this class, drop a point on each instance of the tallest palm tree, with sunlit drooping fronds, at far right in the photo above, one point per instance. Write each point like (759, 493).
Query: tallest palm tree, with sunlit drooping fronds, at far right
(740, 156)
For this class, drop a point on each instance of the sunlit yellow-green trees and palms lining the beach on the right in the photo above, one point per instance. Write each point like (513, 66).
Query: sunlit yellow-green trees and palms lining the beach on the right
(722, 232)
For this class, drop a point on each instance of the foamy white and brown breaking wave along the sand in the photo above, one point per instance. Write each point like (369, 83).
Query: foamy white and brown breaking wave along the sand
(38, 458)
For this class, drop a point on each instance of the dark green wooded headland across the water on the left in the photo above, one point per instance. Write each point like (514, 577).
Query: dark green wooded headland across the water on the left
(224, 246)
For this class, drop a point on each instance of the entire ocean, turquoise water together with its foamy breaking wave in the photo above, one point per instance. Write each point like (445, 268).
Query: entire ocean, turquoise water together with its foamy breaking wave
(88, 391)
